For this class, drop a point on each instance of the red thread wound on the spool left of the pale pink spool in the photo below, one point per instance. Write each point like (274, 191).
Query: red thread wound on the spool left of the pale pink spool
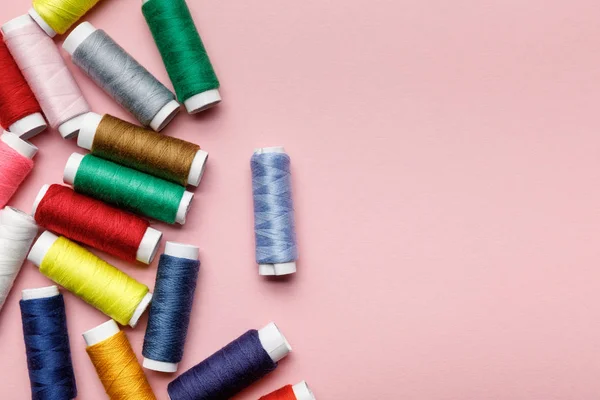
(16, 98)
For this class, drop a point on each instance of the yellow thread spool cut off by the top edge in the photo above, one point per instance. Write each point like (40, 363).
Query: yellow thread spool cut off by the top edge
(57, 16)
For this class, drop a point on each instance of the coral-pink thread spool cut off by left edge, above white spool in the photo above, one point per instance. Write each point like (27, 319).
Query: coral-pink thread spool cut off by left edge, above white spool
(15, 164)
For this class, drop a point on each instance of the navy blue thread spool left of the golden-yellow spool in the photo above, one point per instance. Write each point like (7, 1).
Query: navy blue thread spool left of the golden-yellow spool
(47, 344)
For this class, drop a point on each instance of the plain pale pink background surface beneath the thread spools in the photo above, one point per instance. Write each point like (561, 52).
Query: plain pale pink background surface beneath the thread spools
(446, 161)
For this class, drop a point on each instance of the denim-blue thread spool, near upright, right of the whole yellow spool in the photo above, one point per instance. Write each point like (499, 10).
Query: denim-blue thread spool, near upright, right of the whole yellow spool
(171, 307)
